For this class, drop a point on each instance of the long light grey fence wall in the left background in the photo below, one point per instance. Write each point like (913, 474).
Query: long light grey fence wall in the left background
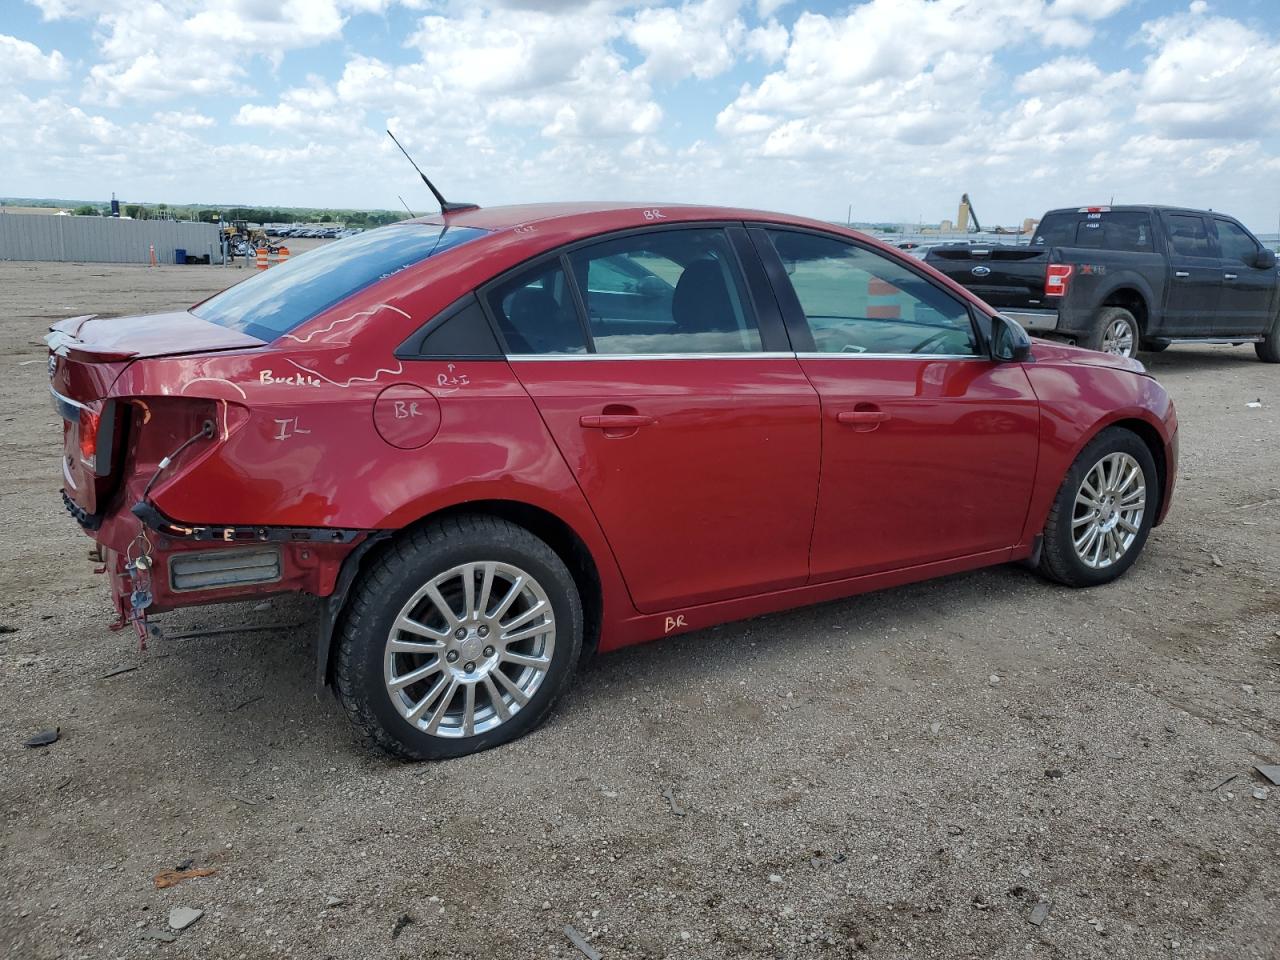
(103, 239)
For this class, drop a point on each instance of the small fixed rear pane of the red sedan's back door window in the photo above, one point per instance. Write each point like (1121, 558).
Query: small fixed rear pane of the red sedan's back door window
(537, 314)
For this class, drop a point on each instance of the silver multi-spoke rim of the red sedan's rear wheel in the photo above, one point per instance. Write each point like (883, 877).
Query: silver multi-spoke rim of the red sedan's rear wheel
(470, 650)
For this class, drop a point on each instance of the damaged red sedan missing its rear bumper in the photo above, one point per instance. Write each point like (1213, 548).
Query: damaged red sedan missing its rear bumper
(492, 441)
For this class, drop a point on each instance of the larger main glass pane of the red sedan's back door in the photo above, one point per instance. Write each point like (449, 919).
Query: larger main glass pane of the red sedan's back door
(666, 292)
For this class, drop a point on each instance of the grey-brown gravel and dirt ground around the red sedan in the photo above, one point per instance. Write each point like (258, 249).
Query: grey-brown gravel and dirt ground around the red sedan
(899, 775)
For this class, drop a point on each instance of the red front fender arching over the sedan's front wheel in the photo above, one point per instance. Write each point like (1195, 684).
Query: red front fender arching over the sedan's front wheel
(1078, 401)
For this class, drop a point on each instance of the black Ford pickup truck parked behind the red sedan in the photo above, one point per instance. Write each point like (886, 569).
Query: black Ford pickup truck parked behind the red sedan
(1118, 278)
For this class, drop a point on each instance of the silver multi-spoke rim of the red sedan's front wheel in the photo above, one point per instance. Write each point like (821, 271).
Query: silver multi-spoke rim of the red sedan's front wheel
(1109, 509)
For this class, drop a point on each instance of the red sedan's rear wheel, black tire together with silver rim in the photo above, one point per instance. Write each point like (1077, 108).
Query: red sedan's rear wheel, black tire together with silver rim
(395, 630)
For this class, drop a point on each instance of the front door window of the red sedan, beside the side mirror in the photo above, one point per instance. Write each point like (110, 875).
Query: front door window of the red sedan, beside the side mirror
(858, 301)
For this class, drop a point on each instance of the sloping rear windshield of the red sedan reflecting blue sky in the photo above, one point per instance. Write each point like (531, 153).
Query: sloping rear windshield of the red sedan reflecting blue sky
(278, 300)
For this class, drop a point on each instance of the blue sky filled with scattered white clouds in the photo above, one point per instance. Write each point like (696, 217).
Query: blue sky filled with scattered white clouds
(895, 107)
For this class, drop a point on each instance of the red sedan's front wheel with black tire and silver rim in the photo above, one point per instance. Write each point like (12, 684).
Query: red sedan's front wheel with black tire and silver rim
(1101, 506)
